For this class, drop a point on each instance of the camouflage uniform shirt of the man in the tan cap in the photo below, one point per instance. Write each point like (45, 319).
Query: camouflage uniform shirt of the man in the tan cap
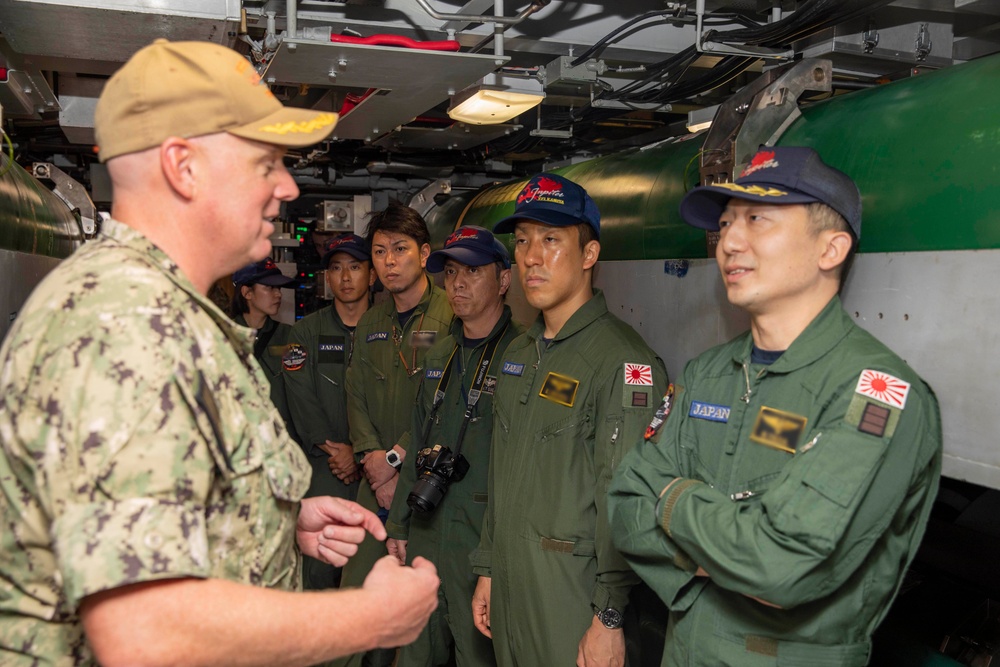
(138, 444)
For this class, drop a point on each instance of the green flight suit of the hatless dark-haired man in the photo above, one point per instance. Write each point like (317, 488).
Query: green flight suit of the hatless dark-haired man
(381, 391)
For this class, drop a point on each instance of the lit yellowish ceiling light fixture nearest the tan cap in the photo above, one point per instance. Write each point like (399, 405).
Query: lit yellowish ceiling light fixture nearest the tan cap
(495, 99)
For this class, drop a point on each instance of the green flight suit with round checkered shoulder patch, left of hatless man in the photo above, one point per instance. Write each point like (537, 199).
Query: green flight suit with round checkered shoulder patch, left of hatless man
(315, 369)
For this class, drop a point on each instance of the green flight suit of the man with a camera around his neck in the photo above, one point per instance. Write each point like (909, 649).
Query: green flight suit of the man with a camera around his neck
(447, 535)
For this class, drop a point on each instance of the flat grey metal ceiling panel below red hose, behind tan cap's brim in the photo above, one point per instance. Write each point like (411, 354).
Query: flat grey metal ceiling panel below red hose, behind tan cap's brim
(408, 81)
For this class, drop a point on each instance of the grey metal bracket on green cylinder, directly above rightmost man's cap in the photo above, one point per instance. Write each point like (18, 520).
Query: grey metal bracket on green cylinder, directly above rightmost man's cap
(759, 114)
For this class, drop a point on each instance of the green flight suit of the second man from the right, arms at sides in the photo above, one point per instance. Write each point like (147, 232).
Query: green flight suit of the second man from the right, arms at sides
(564, 415)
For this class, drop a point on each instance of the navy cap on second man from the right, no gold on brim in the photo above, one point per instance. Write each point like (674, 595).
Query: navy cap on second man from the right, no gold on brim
(552, 200)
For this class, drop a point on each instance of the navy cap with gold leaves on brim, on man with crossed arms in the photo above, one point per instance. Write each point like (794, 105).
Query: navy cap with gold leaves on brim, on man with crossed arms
(778, 175)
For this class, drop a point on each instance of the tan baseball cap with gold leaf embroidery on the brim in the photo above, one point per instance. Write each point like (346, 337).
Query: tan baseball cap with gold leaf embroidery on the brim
(188, 89)
